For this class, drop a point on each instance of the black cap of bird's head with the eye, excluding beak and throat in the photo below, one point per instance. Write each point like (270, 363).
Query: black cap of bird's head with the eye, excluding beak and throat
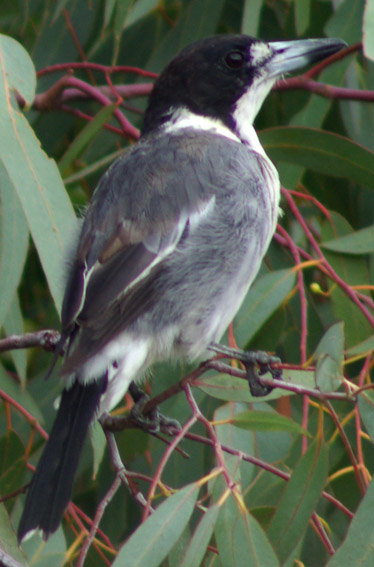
(206, 77)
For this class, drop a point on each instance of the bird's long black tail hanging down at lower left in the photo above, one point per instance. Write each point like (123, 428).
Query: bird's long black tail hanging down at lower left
(52, 483)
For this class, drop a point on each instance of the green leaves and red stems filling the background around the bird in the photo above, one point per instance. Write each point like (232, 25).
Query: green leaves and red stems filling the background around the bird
(312, 303)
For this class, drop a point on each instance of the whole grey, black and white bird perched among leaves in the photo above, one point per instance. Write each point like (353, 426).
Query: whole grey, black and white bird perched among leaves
(170, 243)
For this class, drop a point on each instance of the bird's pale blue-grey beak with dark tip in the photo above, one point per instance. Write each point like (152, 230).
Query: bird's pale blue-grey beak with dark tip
(291, 55)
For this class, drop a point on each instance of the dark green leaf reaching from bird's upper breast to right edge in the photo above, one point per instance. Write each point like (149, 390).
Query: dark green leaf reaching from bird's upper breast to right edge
(320, 151)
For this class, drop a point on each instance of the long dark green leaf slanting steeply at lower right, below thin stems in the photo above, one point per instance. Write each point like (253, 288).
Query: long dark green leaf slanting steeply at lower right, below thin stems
(300, 498)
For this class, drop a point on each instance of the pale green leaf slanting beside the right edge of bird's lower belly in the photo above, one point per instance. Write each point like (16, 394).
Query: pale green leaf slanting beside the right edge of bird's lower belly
(263, 299)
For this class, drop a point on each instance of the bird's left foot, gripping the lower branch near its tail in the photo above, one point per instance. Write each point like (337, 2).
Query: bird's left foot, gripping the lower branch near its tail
(154, 421)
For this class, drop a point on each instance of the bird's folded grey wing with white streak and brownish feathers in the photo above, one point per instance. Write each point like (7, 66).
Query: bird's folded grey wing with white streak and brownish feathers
(137, 216)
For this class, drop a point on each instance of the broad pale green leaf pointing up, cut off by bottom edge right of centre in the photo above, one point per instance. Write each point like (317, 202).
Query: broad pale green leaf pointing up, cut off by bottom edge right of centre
(240, 539)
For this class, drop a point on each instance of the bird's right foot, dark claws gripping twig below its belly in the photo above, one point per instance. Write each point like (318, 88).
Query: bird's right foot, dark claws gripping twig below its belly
(257, 363)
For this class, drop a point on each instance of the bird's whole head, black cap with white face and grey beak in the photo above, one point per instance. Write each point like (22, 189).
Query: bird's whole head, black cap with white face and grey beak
(211, 76)
